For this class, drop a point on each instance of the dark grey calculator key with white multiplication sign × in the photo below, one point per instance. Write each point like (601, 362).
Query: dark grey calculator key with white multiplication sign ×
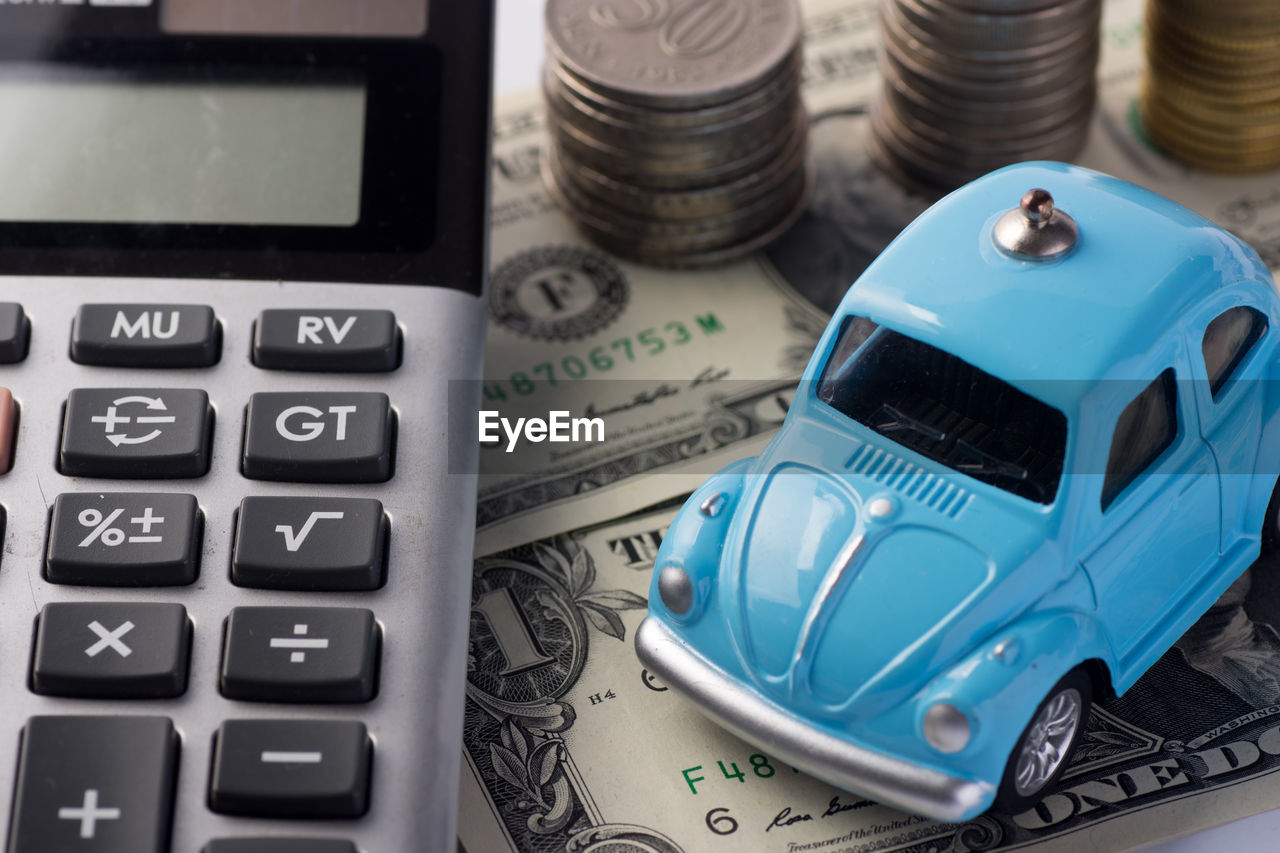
(112, 651)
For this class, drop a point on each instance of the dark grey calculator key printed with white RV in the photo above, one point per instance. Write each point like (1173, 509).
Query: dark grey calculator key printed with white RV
(327, 340)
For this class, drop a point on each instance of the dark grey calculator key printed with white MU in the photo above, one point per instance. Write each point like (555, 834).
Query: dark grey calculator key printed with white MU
(147, 336)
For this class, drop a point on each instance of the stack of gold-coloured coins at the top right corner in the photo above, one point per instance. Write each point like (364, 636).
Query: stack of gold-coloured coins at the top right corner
(1212, 97)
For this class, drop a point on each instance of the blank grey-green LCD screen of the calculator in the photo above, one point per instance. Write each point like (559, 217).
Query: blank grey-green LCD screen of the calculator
(109, 148)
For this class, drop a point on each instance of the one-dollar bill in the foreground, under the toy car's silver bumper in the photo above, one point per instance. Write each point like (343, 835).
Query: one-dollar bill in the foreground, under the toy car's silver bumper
(570, 746)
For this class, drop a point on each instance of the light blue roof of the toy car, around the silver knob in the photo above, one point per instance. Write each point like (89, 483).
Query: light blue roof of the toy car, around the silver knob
(1052, 329)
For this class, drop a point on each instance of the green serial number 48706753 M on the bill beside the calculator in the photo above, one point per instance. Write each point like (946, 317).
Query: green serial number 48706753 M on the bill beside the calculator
(604, 359)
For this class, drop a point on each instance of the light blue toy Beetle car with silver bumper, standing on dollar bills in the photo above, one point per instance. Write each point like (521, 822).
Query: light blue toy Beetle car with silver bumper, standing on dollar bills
(1028, 453)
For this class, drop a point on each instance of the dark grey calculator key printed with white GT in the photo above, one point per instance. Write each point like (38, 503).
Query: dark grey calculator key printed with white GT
(319, 437)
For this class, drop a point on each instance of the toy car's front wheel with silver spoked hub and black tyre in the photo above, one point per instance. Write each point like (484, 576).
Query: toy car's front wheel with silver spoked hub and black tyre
(1043, 752)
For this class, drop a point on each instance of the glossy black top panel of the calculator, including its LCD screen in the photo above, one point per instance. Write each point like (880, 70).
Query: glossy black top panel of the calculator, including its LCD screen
(259, 140)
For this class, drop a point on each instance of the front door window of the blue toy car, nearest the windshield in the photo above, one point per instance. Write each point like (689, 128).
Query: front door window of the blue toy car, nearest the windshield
(1146, 427)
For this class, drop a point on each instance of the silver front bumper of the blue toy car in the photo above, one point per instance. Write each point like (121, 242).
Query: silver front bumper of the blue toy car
(877, 777)
